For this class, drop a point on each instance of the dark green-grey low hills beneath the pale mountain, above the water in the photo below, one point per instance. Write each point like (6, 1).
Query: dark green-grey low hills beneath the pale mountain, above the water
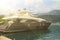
(52, 18)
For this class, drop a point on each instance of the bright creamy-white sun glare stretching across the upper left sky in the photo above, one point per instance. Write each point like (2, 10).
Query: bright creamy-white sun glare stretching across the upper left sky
(7, 6)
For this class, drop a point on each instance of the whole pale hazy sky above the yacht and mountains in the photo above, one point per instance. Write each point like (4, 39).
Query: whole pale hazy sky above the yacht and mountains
(42, 6)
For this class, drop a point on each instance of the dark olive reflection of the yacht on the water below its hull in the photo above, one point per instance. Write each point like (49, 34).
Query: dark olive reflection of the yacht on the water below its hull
(29, 35)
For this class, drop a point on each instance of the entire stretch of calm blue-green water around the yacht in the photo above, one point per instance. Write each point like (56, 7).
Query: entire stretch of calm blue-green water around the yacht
(53, 33)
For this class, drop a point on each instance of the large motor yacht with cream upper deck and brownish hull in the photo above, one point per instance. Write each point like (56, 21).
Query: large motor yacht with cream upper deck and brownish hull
(24, 21)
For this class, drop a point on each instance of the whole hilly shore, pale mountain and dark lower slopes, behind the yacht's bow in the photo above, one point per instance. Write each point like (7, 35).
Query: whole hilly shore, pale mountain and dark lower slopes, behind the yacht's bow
(53, 16)
